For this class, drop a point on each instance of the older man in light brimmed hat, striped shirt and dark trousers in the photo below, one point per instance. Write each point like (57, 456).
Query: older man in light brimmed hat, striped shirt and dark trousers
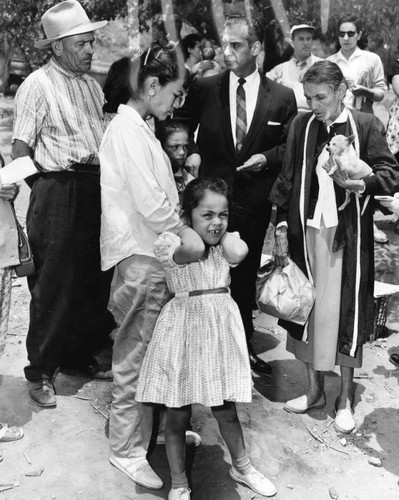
(58, 121)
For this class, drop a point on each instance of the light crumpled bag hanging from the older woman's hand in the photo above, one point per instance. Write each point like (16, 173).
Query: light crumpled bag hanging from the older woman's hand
(285, 293)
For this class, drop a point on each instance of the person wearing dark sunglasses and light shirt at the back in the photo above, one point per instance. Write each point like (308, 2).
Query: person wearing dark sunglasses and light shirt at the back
(362, 69)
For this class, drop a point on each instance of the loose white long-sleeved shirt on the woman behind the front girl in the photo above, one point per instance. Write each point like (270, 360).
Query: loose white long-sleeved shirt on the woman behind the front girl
(139, 200)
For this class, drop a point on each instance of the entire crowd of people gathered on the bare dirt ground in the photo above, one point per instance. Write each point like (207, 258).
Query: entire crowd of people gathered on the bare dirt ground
(149, 205)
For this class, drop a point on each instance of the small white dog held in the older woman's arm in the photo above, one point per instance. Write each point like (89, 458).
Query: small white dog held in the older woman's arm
(343, 157)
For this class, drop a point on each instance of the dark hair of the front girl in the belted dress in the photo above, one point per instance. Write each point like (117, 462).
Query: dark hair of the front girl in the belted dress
(195, 192)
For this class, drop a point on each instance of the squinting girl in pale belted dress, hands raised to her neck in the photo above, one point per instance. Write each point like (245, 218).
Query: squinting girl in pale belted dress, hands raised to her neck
(198, 351)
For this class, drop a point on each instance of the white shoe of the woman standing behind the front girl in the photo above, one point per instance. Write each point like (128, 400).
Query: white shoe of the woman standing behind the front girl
(139, 471)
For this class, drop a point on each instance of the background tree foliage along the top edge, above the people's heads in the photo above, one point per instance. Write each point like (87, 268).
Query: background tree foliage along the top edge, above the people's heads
(20, 20)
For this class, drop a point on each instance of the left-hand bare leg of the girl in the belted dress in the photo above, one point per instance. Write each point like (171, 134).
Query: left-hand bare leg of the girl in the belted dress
(177, 421)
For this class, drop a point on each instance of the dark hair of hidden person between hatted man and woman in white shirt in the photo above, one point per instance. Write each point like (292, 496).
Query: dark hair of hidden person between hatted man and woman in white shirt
(117, 85)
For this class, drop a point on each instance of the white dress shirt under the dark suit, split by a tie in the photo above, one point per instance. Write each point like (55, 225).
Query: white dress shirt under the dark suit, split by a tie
(251, 87)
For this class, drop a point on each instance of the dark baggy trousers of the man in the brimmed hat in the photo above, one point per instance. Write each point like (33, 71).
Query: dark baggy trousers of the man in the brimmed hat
(69, 320)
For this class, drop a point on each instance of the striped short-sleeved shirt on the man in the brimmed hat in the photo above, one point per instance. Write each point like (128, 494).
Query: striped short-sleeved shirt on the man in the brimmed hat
(59, 115)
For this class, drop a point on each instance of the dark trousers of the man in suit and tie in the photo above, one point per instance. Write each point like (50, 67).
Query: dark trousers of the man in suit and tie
(252, 226)
